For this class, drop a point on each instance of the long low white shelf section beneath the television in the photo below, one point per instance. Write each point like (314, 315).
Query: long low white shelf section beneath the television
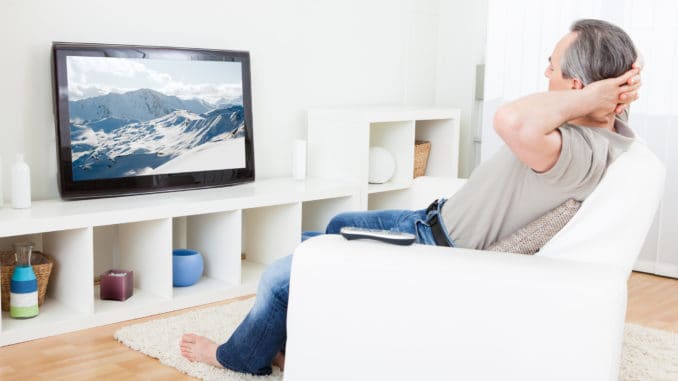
(259, 221)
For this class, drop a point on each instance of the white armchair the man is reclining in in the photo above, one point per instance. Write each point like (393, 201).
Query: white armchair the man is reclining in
(363, 310)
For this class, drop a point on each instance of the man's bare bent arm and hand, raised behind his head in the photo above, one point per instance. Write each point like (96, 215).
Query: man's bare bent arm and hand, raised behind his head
(529, 125)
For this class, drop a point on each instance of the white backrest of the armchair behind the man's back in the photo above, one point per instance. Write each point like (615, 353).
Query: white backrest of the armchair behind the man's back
(613, 222)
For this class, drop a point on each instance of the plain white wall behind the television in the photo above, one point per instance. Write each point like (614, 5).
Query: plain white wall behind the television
(304, 53)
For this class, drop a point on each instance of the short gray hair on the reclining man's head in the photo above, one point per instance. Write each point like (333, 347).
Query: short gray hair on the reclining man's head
(601, 50)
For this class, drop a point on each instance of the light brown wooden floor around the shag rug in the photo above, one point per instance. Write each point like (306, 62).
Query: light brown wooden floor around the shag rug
(94, 354)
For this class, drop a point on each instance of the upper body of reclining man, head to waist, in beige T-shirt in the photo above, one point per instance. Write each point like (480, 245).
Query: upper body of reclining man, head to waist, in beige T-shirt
(559, 142)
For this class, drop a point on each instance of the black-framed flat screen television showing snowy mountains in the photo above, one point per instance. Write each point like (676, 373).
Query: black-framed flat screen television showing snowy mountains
(140, 119)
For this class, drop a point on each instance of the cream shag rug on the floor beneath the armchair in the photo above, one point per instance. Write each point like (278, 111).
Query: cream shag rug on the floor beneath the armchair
(648, 354)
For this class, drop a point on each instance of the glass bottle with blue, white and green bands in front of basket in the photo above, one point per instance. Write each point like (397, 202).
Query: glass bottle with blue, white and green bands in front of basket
(23, 297)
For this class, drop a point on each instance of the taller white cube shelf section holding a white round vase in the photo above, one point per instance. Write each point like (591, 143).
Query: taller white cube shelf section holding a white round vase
(339, 140)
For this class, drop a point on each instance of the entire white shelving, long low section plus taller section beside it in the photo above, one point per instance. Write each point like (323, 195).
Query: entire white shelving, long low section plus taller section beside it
(238, 229)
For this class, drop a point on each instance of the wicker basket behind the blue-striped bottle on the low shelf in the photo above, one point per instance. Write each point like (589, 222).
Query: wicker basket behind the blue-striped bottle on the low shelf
(42, 266)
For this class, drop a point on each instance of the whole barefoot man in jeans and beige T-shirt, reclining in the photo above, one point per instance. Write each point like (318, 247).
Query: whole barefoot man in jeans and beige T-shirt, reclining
(559, 144)
